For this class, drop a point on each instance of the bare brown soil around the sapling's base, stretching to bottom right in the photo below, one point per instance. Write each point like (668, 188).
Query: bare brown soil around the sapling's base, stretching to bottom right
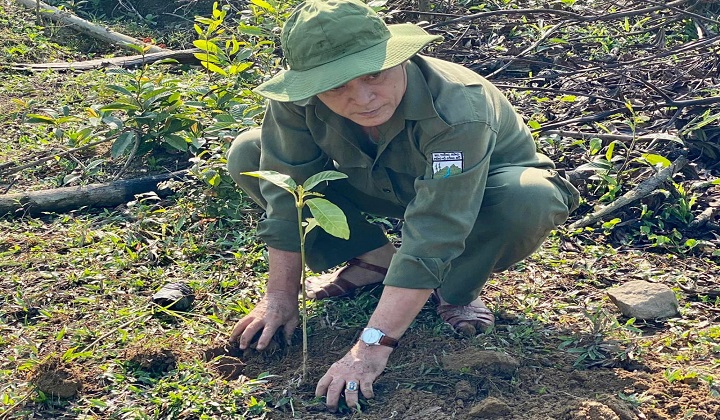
(453, 377)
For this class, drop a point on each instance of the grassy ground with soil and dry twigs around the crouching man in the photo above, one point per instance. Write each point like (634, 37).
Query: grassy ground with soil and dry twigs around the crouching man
(78, 338)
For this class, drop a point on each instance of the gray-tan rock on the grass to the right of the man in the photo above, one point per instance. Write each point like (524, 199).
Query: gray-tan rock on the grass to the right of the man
(644, 300)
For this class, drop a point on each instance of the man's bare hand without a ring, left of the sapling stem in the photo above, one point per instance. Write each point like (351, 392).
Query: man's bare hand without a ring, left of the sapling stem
(275, 310)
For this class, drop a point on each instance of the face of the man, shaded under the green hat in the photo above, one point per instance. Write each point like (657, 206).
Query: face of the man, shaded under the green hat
(368, 100)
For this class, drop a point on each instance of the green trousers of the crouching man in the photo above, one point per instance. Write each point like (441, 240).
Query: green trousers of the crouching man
(513, 222)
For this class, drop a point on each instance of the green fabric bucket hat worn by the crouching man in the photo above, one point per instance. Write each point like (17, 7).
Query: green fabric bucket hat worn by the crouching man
(327, 43)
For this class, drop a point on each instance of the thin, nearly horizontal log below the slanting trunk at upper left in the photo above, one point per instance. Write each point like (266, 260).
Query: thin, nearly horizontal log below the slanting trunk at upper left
(182, 56)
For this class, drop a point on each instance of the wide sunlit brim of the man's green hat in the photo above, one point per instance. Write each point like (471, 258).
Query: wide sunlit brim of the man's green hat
(290, 85)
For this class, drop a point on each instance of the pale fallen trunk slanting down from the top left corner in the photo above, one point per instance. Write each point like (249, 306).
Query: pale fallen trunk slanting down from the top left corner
(82, 25)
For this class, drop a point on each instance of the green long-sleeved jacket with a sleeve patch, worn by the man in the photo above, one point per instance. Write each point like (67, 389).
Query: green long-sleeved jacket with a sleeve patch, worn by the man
(450, 131)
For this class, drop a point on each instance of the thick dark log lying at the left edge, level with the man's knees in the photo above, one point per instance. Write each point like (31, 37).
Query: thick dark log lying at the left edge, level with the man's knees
(71, 198)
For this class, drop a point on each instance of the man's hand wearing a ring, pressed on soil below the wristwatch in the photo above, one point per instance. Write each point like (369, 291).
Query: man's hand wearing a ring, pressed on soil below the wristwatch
(362, 365)
